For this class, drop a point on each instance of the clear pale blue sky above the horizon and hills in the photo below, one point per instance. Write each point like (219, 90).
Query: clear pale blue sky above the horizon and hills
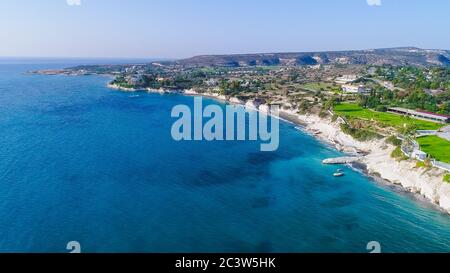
(182, 28)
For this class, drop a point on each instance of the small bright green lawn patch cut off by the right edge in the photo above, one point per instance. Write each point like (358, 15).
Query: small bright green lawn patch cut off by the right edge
(437, 147)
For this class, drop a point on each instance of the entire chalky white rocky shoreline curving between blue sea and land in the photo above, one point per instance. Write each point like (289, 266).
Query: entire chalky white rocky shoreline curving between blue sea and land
(376, 161)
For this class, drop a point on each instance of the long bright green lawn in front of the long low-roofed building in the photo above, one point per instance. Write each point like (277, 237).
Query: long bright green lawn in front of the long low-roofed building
(397, 121)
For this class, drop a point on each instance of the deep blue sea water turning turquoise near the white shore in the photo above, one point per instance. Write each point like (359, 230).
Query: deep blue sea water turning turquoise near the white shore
(82, 162)
